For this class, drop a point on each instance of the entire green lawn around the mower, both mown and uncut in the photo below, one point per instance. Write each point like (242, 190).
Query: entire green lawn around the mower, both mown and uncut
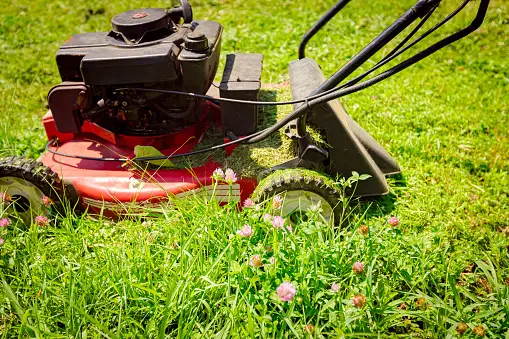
(444, 120)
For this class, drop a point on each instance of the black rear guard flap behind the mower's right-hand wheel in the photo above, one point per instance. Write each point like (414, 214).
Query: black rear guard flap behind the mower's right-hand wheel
(351, 147)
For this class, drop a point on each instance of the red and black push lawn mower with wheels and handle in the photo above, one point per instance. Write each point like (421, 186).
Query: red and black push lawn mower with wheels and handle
(134, 100)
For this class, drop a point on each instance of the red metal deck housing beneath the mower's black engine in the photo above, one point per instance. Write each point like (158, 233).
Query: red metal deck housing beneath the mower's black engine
(113, 189)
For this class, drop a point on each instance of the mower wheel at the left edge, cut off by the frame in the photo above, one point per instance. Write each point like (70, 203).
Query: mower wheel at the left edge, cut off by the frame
(28, 189)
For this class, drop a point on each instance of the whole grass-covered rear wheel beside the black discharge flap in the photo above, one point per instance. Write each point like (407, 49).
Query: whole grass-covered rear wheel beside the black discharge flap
(301, 190)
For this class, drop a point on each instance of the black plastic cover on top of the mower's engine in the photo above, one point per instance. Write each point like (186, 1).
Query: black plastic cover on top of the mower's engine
(152, 56)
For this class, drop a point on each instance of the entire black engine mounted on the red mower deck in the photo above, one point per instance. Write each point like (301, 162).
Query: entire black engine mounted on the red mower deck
(148, 48)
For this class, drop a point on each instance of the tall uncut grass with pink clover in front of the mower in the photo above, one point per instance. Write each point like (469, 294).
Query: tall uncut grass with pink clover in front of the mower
(190, 274)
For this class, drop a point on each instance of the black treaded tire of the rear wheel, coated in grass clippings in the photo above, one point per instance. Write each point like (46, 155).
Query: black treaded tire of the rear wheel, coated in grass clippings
(302, 180)
